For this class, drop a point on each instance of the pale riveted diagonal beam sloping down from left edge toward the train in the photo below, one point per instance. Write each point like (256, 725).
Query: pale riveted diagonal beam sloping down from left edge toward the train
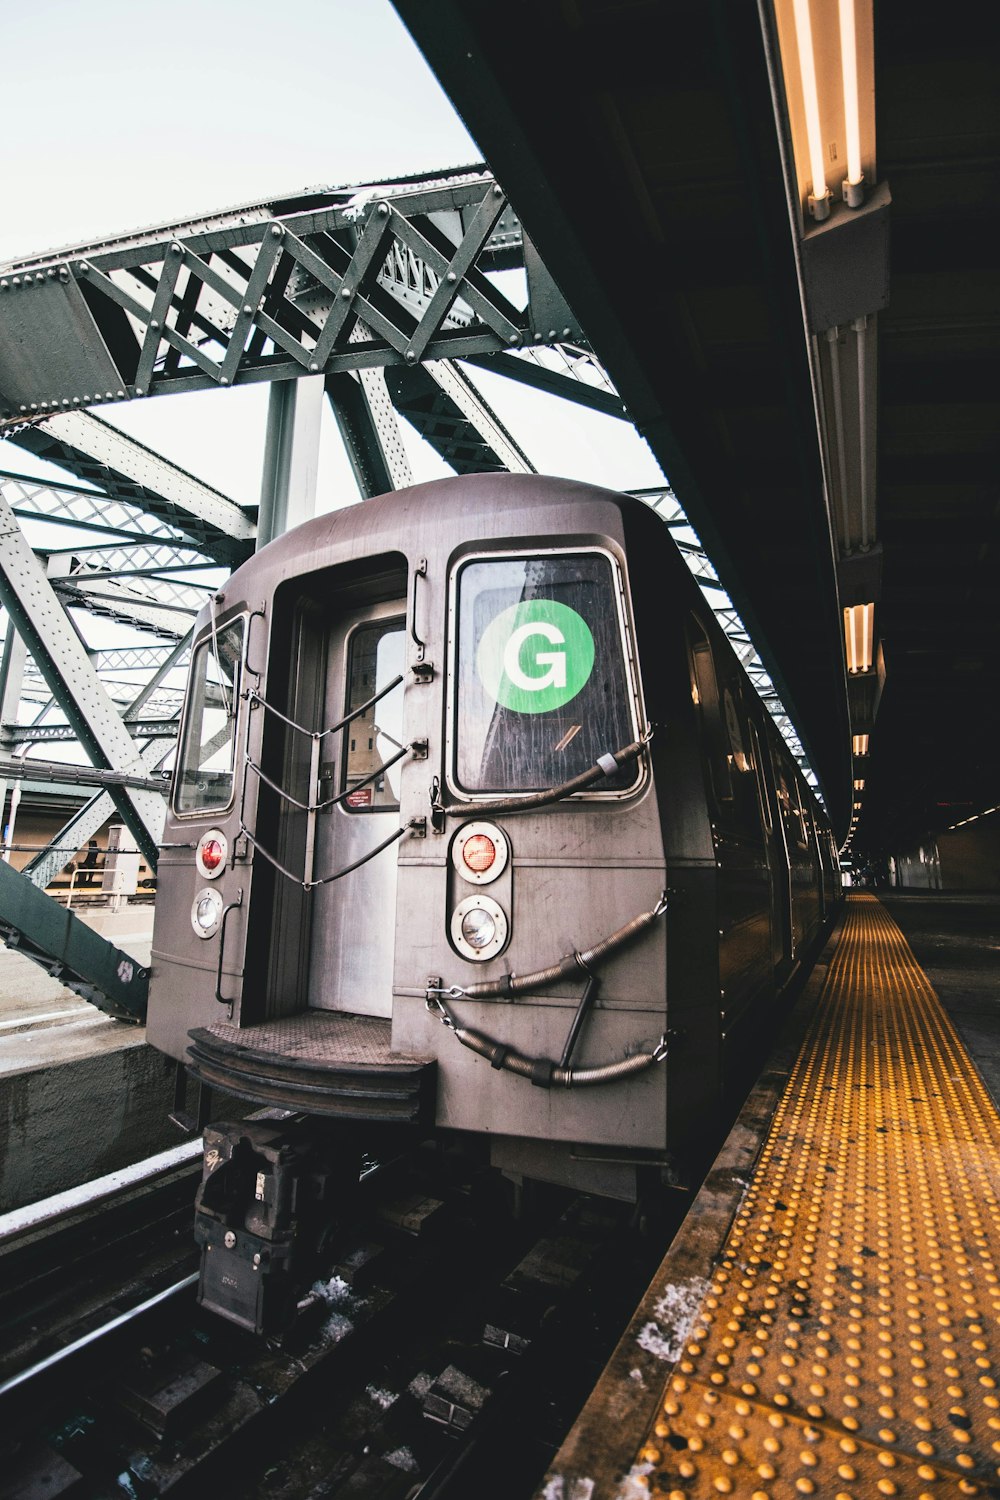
(64, 662)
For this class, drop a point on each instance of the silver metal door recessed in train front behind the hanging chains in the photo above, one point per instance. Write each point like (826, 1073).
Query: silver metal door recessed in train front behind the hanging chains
(355, 917)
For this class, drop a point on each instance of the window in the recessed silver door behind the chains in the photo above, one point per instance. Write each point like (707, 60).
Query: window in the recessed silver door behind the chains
(376, 656)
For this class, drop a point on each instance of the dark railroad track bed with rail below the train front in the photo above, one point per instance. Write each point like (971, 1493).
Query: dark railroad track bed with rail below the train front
(445, 1355)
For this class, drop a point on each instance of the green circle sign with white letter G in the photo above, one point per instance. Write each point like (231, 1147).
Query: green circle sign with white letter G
(536, 656)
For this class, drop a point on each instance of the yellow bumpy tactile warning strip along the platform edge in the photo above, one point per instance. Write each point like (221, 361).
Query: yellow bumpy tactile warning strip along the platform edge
(849, 1343)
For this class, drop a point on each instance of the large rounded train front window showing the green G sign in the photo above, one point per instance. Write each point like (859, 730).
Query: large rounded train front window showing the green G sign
(542, 689)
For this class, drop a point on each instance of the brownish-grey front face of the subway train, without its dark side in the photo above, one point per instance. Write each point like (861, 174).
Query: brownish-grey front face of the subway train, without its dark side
(415, 866)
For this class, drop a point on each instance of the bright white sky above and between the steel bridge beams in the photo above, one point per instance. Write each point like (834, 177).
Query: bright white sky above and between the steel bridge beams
(121, 115)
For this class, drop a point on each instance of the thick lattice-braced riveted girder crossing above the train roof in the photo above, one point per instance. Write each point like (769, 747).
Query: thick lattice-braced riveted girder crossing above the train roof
(274, 298)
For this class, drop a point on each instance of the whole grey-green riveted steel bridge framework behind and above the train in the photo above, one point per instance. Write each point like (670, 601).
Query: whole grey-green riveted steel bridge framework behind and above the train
(391, 295)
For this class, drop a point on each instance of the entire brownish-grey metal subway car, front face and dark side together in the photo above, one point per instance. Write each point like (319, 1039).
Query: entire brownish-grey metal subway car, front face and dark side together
(536, 632)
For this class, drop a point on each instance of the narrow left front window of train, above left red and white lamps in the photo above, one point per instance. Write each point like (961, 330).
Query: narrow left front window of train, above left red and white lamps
(208, 751)
